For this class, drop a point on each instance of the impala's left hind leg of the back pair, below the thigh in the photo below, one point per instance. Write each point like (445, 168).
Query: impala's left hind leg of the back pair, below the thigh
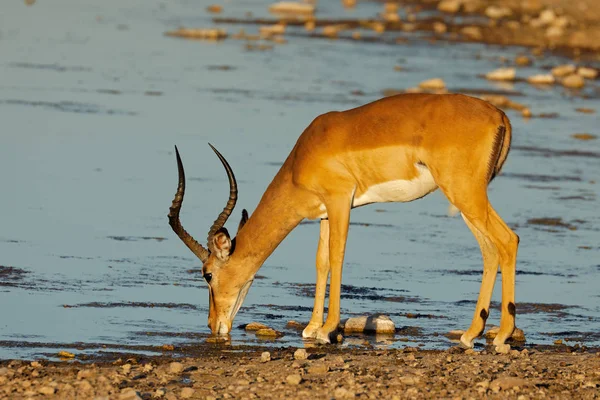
(491, 260)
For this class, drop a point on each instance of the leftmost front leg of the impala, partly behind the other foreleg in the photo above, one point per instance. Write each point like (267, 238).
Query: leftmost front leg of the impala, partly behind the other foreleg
(316, 320)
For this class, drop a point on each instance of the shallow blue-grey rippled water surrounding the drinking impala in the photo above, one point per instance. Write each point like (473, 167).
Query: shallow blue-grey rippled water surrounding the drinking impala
(92, 100)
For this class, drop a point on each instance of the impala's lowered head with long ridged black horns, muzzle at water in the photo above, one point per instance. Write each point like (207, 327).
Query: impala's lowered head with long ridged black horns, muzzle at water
(227, 285)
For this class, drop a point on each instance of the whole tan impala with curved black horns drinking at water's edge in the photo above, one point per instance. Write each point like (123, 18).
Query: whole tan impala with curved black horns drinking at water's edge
(399, 148)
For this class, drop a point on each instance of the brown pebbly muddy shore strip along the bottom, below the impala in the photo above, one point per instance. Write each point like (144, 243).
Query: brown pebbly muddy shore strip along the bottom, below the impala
(221, 372)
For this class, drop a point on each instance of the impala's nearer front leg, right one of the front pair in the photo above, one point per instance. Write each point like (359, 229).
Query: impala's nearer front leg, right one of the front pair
(338, 211)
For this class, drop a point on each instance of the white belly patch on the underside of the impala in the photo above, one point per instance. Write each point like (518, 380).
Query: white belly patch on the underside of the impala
(398, 190)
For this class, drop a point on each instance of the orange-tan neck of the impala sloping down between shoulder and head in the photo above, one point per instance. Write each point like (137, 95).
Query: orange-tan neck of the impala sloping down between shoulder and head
(274, 217)
